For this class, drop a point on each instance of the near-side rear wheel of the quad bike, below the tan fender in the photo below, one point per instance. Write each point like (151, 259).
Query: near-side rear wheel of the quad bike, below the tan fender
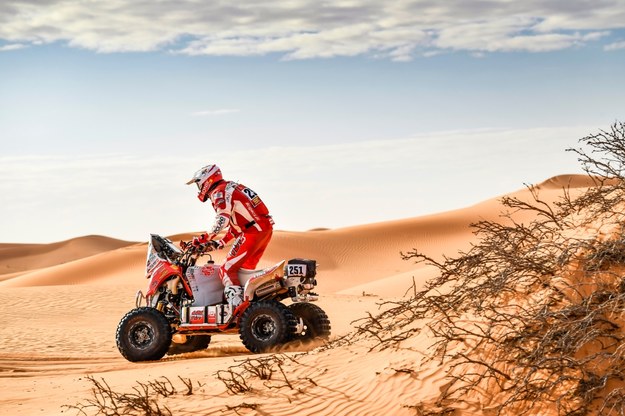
(265, 325)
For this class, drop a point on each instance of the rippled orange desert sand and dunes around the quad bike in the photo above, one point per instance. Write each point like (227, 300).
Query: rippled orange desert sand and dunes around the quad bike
(60, 305)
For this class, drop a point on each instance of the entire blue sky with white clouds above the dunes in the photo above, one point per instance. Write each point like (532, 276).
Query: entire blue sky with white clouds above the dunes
(336, 113)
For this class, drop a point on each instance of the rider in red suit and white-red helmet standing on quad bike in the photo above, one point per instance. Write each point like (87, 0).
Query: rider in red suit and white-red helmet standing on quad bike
(243, 215)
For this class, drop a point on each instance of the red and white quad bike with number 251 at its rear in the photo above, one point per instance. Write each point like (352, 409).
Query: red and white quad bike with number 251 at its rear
(184, 305)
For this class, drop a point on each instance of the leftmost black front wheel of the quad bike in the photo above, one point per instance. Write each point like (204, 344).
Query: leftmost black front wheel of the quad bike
(143, 334)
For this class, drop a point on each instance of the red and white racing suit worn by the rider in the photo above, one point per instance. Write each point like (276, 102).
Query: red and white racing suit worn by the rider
(243, 215)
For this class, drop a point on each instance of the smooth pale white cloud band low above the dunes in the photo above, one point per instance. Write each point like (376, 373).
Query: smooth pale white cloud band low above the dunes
(55, 198)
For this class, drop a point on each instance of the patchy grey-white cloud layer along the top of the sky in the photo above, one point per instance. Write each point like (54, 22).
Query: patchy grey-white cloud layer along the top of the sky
(302, 29)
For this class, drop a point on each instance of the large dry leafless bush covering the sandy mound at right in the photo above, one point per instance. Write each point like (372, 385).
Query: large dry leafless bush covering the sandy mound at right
(533, 313)
